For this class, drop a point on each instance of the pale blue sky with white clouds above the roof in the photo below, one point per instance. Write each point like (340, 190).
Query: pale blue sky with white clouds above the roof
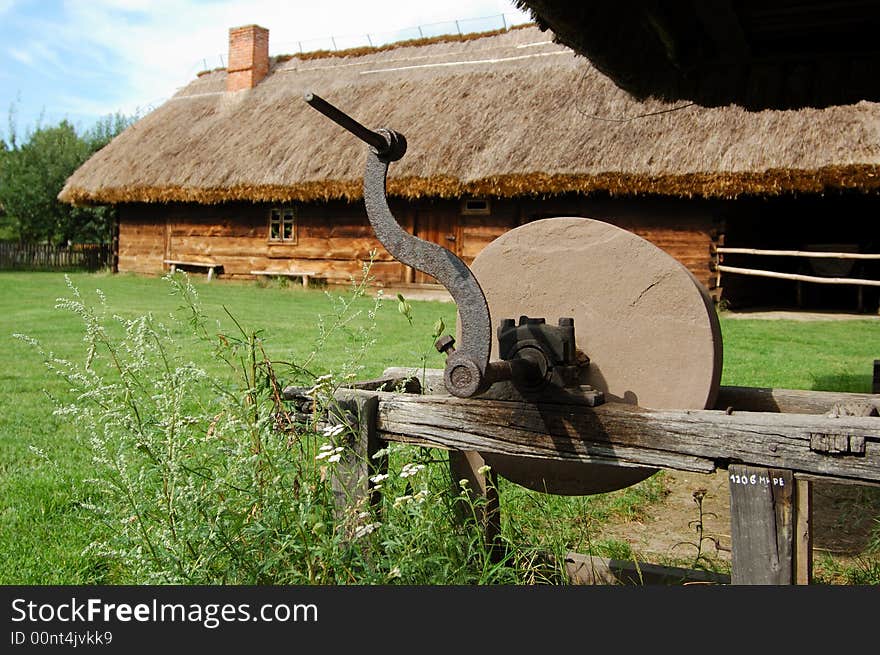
(82, 60)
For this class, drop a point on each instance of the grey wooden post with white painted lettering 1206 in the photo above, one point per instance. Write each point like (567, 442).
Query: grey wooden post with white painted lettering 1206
(762, 525)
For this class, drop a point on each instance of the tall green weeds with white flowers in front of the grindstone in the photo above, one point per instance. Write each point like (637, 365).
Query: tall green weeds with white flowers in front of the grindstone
(202, 478)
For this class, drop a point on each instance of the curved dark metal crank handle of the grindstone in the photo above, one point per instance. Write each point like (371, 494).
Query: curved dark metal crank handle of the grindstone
(468, 371)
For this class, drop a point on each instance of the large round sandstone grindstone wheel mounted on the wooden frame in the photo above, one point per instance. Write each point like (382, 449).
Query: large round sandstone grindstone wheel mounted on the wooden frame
(648, 327)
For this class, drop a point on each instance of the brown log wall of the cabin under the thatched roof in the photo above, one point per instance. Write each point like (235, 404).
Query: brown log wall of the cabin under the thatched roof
(334, 239)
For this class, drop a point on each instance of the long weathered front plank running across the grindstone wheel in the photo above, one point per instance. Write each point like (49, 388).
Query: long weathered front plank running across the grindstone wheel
(624, 435)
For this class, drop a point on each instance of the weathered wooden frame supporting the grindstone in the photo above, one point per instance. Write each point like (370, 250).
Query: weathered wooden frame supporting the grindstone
(772, 442)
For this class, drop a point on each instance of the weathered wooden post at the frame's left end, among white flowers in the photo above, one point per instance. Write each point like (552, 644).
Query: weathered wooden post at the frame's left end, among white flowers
(352, 487)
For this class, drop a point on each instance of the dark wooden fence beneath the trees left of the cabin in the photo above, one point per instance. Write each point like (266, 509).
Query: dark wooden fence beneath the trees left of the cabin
(46, 257)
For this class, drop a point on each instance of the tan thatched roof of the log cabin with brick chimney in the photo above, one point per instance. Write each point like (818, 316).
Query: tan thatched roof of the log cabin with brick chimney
(505, 115)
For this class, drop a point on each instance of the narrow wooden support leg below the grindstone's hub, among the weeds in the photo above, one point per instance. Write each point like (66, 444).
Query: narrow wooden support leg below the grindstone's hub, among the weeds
(483, 493)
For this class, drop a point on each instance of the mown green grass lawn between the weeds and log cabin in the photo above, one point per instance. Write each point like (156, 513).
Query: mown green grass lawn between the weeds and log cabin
(43, 531)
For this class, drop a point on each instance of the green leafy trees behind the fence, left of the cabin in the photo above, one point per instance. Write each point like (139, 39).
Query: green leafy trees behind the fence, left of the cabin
(33, 172)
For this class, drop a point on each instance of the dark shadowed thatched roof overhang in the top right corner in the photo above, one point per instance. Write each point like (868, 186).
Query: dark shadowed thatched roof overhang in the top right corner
(760, 54)
